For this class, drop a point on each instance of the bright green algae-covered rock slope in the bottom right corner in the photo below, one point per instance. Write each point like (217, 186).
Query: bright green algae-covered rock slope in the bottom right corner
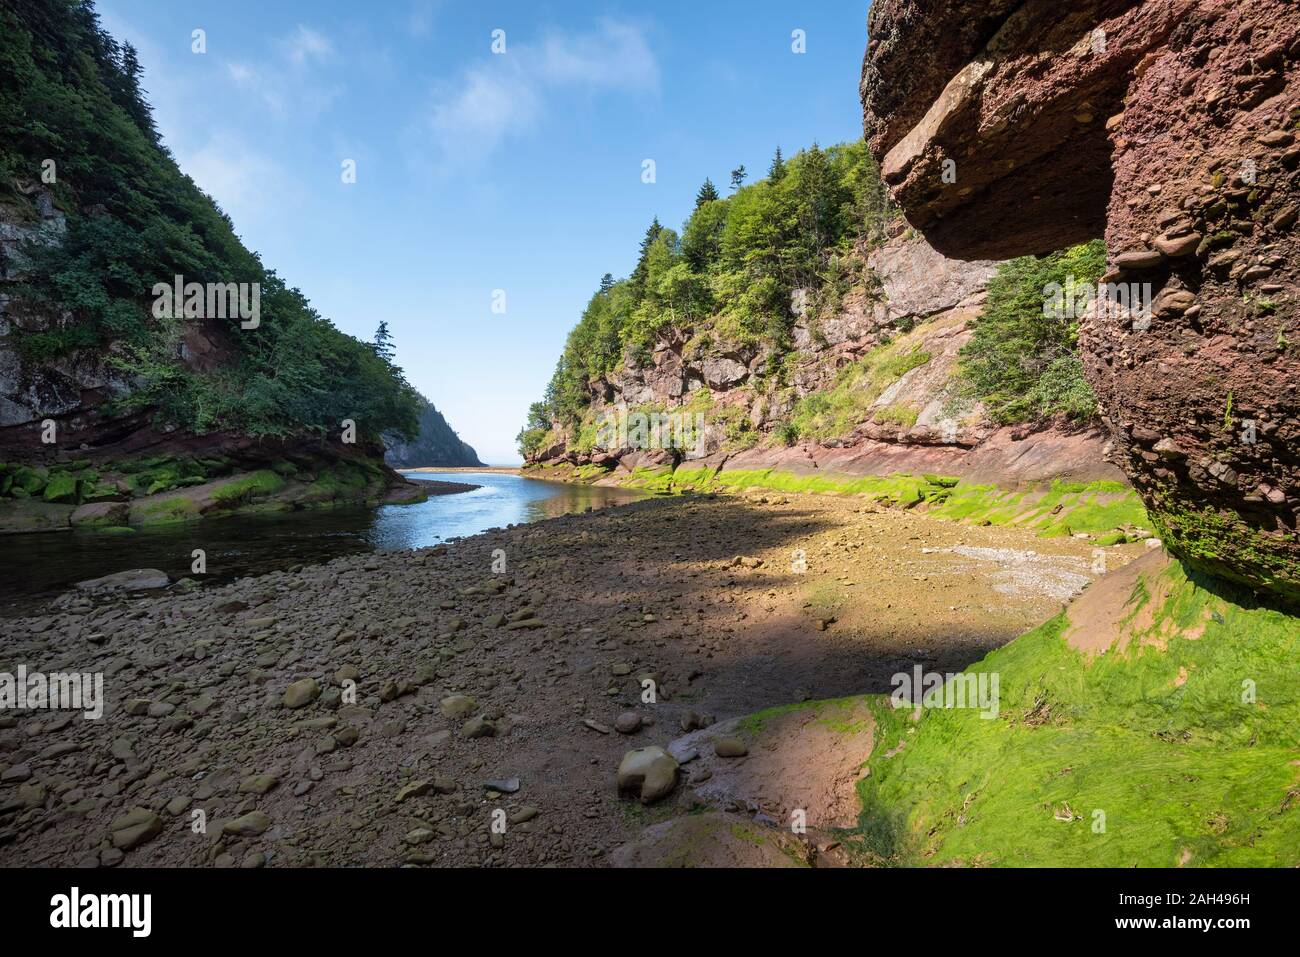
(1162, 737)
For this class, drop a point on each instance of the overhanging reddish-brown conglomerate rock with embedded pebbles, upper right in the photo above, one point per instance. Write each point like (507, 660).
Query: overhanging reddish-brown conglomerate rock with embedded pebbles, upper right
(1019, 128)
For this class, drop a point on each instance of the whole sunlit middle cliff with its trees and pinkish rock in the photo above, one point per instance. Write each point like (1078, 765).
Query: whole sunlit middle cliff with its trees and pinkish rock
(805, 330)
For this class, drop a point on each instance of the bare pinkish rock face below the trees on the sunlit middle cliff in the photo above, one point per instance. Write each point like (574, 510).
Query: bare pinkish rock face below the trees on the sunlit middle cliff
(892, 347)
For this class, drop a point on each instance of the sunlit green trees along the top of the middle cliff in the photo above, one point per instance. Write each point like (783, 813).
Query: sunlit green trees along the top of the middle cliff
(734, 271)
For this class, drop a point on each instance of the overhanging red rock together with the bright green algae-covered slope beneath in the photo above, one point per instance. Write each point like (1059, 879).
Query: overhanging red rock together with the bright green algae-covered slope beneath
(1149, 724)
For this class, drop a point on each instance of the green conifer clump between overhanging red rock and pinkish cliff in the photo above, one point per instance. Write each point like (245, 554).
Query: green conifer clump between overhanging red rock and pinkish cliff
(1021, 362)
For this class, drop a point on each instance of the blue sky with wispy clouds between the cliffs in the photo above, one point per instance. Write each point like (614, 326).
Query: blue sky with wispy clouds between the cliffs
(480, 172)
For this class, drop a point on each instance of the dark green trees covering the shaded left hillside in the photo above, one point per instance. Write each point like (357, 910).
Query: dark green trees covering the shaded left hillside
(72, 93)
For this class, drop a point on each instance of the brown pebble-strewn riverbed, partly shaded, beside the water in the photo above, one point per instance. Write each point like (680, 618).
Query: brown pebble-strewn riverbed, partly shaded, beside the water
(391, 709)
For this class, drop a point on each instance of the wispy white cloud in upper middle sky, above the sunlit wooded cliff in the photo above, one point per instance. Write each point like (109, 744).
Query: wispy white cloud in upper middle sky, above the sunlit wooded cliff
(512, 93)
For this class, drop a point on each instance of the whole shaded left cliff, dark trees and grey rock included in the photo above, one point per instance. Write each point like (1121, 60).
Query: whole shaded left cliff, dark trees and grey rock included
(96, 378)
